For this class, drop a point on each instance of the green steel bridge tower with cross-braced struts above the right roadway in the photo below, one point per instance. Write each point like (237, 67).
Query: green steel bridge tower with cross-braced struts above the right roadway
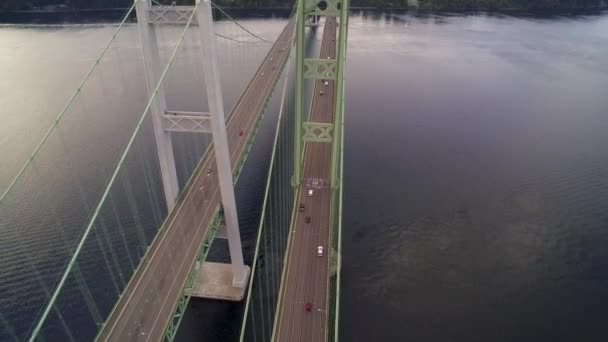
(310, 68)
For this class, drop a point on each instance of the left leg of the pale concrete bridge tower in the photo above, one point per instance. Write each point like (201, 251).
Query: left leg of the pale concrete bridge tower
(153, 68)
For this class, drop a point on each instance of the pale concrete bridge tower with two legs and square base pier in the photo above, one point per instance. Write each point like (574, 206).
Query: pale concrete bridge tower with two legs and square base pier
(219, 281)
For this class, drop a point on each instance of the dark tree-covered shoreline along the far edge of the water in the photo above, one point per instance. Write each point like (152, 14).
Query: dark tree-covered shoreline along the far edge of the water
(423, 4)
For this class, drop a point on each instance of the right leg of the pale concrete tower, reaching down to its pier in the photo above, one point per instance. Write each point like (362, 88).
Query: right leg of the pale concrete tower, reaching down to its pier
(240, 272)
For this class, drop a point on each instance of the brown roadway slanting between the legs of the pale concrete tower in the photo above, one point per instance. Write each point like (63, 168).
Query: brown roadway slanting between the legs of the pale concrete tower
(150, 300)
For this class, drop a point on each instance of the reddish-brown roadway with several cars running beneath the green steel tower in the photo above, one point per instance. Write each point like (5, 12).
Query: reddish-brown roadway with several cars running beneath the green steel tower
(307, 275)
